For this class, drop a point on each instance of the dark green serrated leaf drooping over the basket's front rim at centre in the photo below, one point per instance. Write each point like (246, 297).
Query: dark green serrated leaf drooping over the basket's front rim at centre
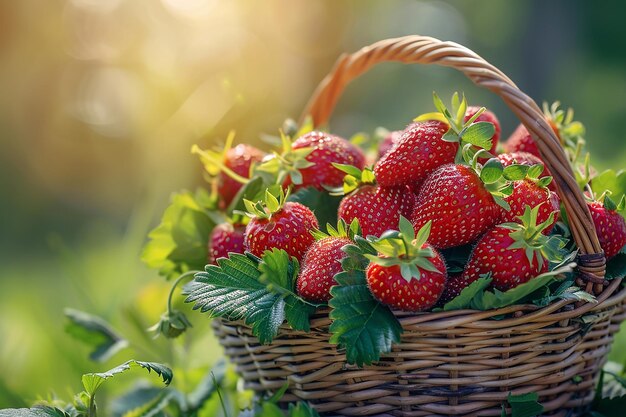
(361, 325)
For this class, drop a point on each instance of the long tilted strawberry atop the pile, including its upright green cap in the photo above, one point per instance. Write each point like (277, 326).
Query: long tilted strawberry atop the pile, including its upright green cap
(433, 140)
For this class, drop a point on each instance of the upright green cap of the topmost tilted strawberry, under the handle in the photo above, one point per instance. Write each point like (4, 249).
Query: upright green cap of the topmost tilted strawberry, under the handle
(478, 134)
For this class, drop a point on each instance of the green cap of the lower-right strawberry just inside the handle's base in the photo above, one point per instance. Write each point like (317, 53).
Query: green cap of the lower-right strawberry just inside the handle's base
(529, 236)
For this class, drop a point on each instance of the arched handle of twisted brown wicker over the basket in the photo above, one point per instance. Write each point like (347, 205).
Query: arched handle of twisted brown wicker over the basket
(425, 50)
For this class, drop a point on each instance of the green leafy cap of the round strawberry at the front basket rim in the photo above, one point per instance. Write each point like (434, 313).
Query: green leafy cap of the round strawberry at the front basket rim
(406, 249)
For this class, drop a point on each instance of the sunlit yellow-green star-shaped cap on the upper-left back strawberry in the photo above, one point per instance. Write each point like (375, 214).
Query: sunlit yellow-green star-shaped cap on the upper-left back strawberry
(287, 162)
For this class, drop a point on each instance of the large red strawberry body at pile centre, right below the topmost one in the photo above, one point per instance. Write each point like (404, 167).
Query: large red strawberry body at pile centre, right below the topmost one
(459, 205)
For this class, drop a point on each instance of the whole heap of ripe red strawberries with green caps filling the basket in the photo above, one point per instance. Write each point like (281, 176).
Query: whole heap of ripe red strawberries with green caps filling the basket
(439, 184)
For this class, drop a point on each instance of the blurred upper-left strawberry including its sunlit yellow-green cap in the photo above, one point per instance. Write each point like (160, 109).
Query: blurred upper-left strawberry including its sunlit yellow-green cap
(231, 167)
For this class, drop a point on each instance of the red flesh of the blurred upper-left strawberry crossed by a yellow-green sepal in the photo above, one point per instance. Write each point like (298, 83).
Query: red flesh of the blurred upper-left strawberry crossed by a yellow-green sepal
(238, 159)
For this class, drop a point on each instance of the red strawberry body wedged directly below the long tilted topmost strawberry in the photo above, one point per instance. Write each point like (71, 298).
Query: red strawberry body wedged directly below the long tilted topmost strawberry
(377, 208)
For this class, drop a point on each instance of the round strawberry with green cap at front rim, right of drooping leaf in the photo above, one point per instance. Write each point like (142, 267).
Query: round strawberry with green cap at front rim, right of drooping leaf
(407, 274)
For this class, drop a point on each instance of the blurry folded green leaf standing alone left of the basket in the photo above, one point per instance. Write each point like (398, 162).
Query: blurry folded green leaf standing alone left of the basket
(96, 333)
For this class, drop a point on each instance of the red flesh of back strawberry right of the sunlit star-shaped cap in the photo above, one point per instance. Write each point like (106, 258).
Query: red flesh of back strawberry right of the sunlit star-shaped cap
(326, 150)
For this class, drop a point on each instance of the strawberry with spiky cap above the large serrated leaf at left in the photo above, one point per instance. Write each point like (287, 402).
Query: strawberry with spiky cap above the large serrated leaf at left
(276, 223)
